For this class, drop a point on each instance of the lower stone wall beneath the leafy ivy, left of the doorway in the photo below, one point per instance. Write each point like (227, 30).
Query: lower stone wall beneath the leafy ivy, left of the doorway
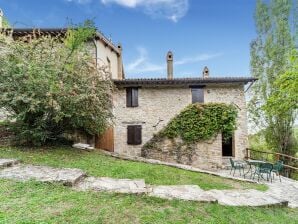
(205, 155)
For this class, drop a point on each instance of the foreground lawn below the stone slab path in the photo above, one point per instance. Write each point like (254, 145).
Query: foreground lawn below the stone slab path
(33, 202)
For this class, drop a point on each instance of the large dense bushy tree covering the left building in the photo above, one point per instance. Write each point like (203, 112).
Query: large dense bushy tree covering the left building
(50, 85)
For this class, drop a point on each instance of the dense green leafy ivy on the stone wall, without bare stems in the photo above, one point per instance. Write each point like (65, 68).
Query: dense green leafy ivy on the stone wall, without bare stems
(199, 122)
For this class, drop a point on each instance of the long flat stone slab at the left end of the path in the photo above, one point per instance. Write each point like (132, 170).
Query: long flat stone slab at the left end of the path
(65, 176)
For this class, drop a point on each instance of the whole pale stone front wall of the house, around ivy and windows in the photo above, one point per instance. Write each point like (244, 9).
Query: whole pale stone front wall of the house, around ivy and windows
(158, 105)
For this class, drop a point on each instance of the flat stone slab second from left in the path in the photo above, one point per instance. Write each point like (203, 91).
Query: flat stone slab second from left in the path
(112, 185)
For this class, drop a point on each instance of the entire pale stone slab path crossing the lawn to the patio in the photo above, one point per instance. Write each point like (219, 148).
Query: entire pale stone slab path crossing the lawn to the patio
(283, 193)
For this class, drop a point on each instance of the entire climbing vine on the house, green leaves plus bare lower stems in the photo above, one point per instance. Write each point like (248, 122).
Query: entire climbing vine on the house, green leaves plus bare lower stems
(196, 123)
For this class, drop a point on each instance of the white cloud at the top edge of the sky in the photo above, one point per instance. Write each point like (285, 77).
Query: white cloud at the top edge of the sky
(169, 9)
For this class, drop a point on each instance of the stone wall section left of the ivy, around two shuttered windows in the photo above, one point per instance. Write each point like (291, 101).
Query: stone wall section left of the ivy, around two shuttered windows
(156, 107)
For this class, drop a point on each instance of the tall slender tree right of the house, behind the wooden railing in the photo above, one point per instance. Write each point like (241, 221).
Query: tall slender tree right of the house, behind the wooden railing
(269, 61)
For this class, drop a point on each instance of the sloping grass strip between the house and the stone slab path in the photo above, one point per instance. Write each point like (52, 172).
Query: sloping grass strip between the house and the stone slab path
(98, 164)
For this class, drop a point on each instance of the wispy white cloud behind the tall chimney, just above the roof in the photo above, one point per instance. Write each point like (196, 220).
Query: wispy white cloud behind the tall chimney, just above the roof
(143, 64)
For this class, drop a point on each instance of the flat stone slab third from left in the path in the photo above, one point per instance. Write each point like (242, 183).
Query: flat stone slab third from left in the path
(184, 192)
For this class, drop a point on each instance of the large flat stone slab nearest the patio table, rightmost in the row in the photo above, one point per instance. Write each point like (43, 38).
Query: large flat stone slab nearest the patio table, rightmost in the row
(246, 198)
